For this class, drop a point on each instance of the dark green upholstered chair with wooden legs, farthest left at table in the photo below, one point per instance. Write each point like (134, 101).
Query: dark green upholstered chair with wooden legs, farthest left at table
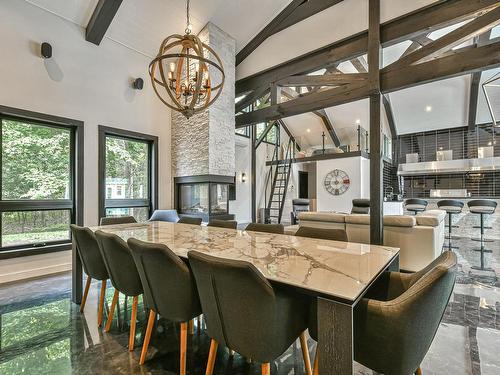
(93, 264)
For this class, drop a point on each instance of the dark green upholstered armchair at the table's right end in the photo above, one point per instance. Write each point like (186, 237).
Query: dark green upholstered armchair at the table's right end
(395, 324)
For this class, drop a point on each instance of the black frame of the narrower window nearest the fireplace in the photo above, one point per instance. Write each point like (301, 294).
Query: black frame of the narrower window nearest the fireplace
(152, 141)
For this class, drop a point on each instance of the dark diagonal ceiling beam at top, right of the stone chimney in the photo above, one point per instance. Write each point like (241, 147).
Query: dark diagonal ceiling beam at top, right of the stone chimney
(294, 12)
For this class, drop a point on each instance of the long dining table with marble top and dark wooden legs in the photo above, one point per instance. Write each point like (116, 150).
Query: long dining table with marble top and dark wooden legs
(337, 274)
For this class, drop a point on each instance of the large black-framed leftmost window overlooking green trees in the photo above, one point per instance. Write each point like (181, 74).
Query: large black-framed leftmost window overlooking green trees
(38, 181)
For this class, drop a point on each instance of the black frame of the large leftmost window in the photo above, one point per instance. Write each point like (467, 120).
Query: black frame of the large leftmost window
(74, 205)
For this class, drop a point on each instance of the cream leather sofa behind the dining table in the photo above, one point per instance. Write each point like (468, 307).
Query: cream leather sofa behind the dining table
(420, 238)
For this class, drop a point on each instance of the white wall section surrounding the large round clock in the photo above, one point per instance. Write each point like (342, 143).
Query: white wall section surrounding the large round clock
(357, 168)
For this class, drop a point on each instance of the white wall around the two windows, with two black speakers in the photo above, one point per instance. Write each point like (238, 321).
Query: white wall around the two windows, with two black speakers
(82, 81)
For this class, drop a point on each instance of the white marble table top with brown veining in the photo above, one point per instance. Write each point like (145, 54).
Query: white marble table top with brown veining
(331, 269)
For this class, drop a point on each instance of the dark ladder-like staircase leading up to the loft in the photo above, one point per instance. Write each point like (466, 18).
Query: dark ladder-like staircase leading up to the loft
(279, 185)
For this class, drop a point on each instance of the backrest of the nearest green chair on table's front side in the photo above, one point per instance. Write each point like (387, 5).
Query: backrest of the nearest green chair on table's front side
(238, 303)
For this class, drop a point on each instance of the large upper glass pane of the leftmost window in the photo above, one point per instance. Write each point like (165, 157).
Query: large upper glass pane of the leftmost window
(35, 161)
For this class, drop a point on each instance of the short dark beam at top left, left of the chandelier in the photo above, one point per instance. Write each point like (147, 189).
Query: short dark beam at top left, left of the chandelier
(104, 13)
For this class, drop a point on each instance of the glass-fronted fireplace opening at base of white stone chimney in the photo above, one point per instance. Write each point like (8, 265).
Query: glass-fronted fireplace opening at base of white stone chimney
(204, 196)
